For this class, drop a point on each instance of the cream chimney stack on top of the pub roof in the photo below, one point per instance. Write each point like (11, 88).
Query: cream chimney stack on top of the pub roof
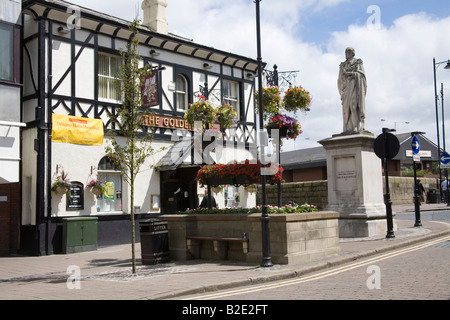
(155, 15)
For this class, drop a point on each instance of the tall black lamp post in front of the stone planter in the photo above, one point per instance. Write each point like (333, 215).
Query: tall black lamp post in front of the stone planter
(265, 230)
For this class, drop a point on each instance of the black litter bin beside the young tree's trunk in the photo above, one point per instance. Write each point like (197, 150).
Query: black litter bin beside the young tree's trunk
(154, 235)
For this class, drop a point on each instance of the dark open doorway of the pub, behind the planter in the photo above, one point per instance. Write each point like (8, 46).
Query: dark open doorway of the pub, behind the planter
(179, 189)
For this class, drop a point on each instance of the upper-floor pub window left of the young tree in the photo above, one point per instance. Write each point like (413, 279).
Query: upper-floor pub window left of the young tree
(108, 69)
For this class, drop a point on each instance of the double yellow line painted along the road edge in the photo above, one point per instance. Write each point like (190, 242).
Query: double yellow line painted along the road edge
(317, 276)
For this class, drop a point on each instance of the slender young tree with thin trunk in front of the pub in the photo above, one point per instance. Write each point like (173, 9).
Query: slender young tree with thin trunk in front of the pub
(130, 153)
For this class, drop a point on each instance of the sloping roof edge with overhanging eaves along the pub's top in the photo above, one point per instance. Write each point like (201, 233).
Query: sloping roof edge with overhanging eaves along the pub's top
(56, 10)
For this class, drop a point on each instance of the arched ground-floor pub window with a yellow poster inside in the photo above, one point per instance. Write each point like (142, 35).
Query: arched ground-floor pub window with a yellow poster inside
(109, 174)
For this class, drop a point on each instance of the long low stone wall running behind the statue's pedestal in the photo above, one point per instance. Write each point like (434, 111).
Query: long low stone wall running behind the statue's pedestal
(316, 192)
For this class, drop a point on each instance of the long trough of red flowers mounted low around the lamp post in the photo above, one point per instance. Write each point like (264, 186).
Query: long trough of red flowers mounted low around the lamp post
(237, 174)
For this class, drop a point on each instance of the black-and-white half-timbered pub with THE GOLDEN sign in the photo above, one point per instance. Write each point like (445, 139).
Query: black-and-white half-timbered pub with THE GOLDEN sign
(70, 57)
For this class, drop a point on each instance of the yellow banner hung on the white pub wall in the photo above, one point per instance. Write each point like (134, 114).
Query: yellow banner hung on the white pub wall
(70, 129)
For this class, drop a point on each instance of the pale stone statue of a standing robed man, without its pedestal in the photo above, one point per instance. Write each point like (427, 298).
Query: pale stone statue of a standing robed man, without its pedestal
(352, 87)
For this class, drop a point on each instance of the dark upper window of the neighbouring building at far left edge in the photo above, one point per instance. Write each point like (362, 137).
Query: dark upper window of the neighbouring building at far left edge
(7, 52)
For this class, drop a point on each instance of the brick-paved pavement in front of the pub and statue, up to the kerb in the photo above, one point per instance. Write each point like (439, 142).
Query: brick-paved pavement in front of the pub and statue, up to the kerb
(106, 272)
